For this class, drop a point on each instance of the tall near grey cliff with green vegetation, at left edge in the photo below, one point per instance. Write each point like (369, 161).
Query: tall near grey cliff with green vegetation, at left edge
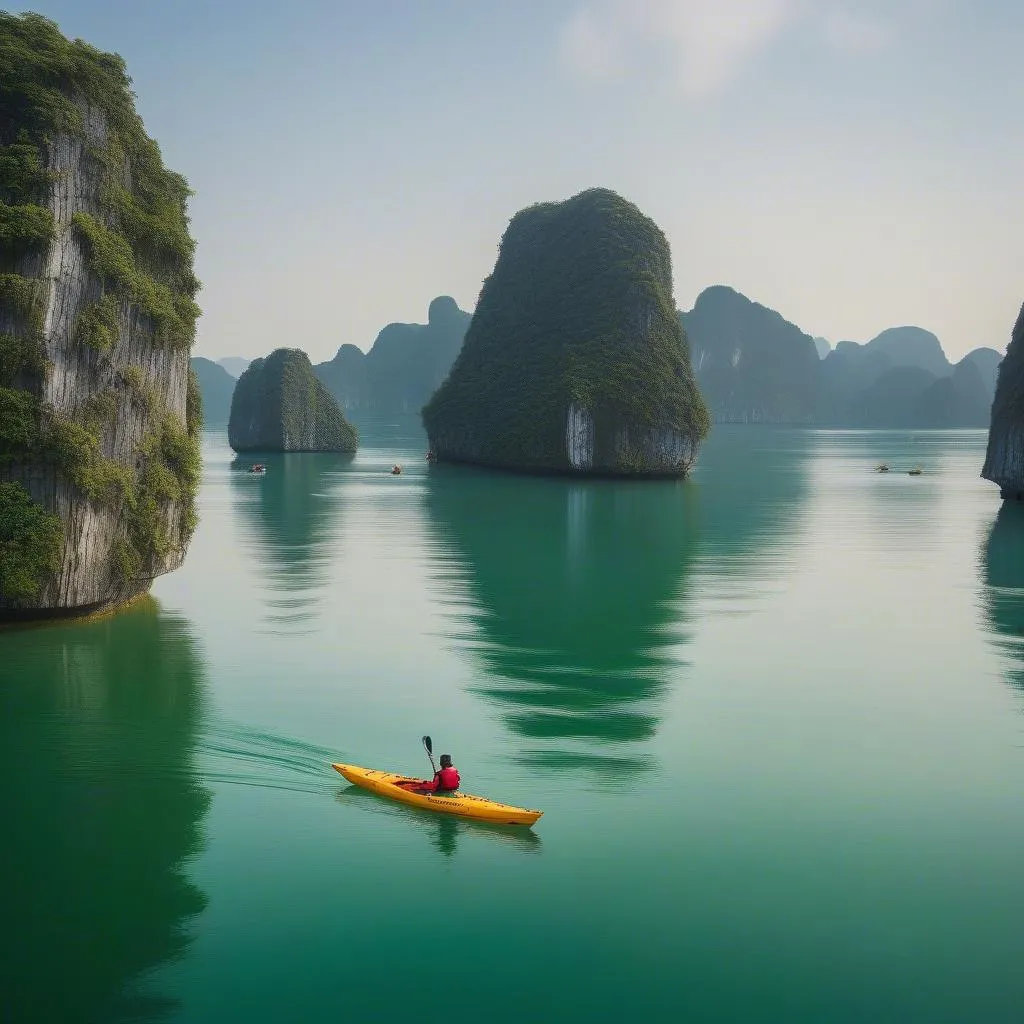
(99, 414)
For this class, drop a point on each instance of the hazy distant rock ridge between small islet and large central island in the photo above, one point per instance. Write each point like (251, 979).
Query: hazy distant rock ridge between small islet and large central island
(405, 366)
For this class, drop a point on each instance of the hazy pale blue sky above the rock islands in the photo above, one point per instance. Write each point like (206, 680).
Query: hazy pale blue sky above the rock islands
(854, 164)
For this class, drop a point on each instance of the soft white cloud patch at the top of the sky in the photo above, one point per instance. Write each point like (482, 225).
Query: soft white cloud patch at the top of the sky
(704, 45)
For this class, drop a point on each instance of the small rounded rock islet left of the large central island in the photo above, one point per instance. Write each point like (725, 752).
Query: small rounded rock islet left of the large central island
(280, 406)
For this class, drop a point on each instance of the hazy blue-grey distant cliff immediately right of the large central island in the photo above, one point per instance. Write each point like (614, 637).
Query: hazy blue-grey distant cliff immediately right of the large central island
(752, 365)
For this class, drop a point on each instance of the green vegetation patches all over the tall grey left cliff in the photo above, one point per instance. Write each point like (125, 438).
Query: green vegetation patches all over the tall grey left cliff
(140, 254)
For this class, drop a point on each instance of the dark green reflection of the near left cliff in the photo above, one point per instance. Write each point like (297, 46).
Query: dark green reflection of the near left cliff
(102, 814)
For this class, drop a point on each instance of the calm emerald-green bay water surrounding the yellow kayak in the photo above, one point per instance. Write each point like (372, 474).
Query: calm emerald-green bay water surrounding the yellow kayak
(774, 715)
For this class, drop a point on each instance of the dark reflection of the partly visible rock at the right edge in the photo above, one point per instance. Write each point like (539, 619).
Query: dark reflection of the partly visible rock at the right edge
(1004, 575)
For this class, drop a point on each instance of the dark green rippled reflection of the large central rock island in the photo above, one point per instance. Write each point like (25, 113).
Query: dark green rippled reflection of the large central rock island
(571, 584)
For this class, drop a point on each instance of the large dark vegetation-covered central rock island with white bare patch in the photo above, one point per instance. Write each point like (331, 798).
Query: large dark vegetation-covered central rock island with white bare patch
(575, 361)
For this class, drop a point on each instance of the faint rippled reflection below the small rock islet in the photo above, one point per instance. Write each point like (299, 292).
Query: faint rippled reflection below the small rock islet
(293, 515)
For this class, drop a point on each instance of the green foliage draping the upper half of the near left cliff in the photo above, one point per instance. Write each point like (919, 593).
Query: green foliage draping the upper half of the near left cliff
(143, 248)
